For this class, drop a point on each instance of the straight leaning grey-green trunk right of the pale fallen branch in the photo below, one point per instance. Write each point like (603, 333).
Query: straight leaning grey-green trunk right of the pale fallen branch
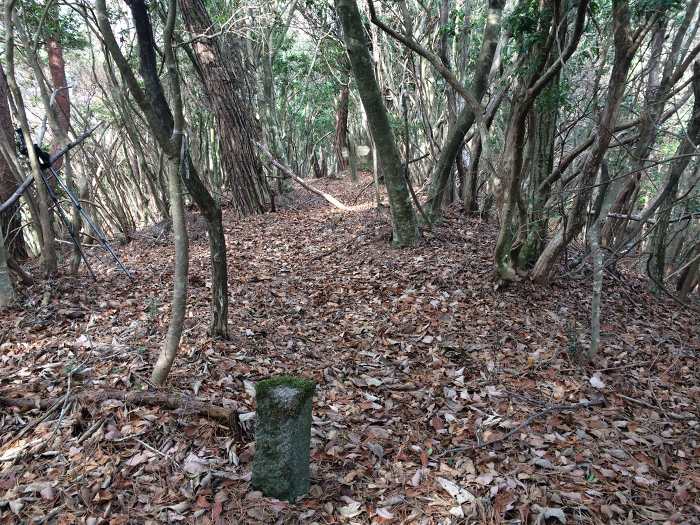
(403, 215)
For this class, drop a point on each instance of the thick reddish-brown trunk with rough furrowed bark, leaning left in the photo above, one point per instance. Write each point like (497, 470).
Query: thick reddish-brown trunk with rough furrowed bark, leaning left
(224, 81)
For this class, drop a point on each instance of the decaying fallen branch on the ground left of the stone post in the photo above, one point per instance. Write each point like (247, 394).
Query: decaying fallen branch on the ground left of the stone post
(167, 400)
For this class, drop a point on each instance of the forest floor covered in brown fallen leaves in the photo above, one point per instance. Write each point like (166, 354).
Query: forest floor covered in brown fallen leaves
(414, 354)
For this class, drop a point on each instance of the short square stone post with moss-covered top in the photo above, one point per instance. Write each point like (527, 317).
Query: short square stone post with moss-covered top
(283, 437)
